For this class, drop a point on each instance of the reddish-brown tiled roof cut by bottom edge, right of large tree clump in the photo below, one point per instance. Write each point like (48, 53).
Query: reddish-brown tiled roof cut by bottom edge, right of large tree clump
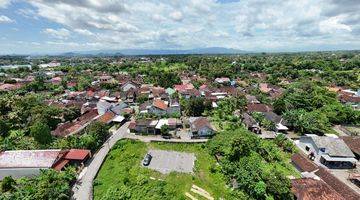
(311, 189)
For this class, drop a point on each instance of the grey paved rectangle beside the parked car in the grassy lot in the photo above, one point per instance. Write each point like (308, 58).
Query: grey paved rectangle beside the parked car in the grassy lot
(171, 161)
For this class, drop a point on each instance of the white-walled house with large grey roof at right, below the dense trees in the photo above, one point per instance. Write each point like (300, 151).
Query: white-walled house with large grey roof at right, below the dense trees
(330, 151)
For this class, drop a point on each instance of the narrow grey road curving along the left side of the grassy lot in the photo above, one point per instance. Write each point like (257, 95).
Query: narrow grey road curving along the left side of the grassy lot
(83, 188)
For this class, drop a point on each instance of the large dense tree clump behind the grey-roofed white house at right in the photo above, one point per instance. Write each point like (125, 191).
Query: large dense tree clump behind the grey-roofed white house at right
(312, 109)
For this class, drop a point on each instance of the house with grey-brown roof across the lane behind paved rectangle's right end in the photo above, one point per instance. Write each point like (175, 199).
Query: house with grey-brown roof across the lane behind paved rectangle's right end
(200, 127)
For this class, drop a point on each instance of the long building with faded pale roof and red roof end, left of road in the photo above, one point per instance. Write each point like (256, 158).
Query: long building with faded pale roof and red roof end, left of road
(28, 163)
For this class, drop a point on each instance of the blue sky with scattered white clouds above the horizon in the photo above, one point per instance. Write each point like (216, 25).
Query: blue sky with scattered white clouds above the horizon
(55, 26)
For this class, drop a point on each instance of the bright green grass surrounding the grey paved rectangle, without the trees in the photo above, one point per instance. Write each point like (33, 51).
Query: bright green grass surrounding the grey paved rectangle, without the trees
(123, 177)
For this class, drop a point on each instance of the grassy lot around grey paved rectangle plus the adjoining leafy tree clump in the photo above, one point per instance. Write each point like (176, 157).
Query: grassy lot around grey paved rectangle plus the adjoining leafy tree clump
(244, 158)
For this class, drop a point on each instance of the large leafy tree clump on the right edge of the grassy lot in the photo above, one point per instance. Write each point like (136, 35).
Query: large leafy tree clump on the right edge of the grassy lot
(256, 167)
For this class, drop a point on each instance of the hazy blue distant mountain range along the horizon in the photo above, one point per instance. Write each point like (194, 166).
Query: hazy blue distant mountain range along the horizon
(135, 52)
